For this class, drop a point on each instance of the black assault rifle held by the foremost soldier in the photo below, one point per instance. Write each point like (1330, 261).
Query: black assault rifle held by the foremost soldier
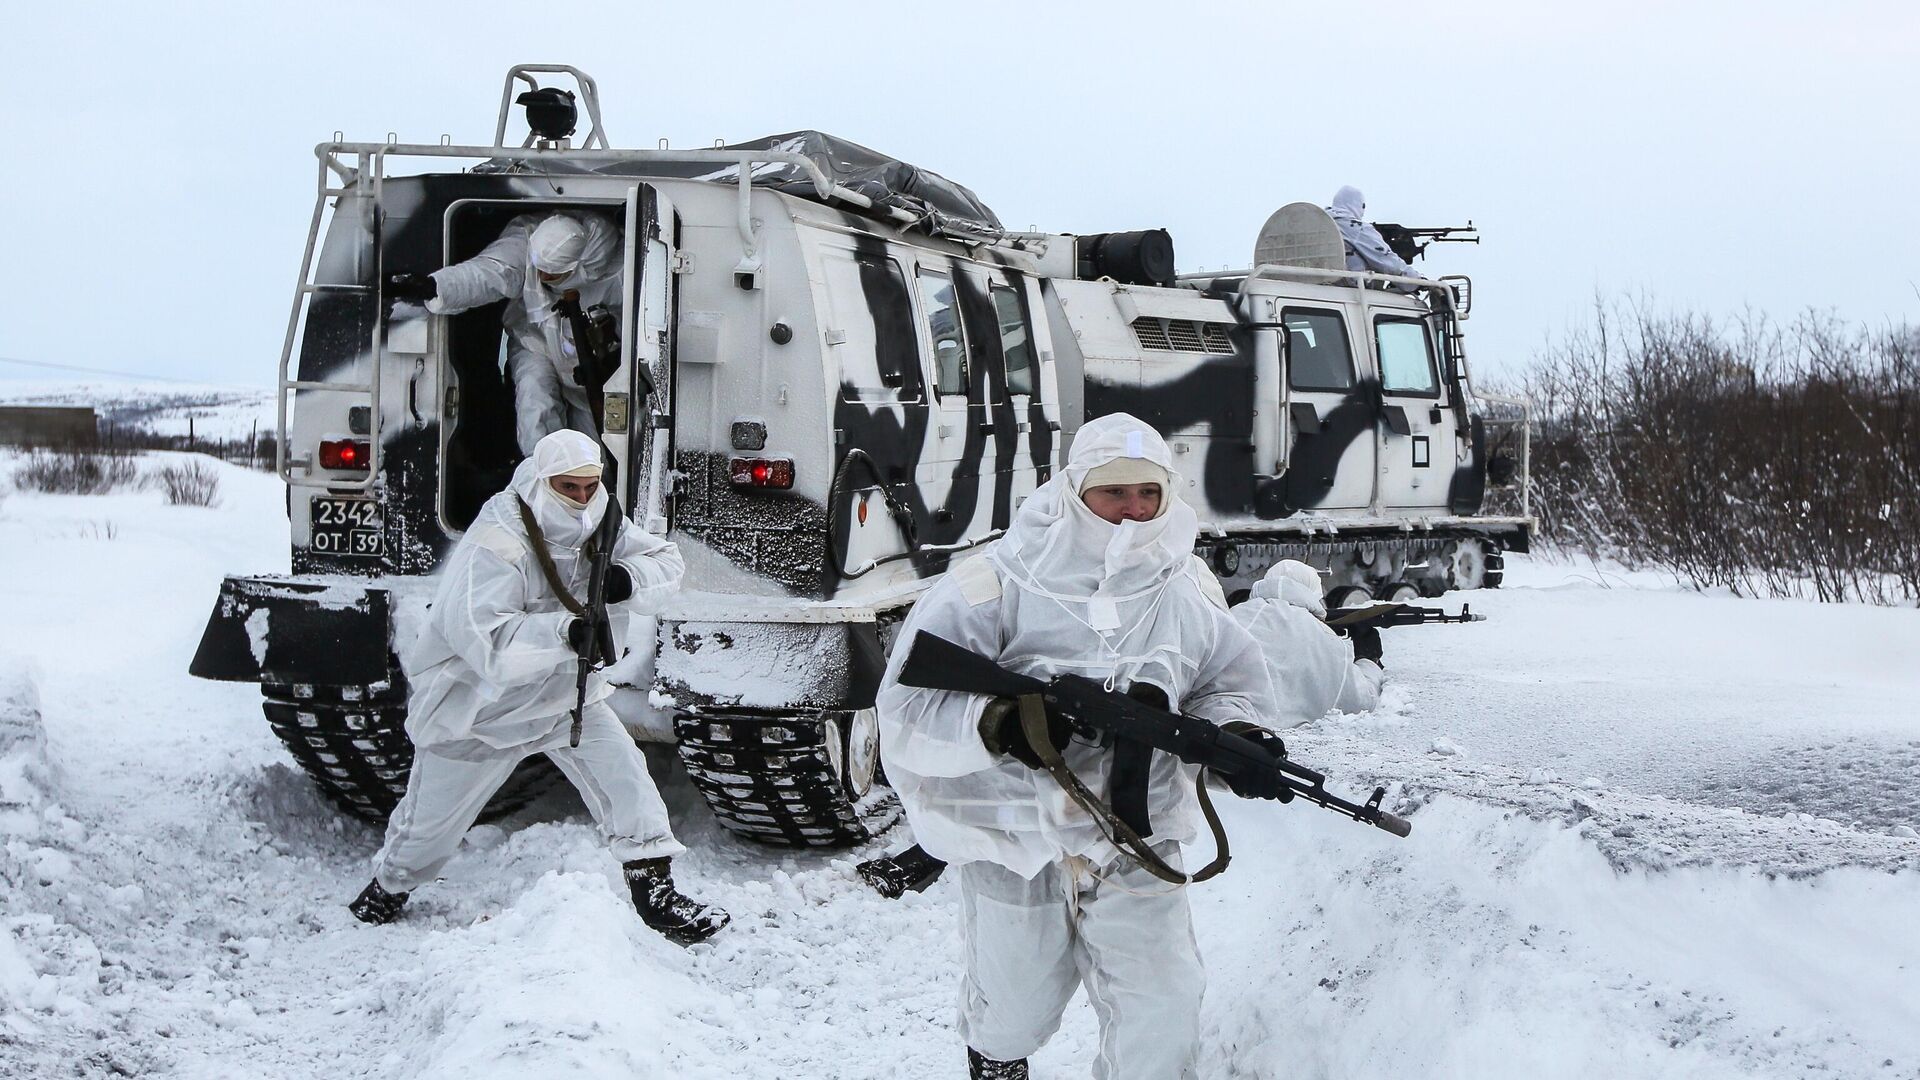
(1105, 716)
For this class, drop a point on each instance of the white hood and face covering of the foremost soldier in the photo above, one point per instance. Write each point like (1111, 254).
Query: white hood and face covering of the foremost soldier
(1107, 577)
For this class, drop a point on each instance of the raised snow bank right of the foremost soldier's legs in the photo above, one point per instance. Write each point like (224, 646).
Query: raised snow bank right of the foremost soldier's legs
(1497, 946)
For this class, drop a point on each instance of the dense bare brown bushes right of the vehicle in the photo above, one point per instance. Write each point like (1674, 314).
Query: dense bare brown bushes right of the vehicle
(1756, 458)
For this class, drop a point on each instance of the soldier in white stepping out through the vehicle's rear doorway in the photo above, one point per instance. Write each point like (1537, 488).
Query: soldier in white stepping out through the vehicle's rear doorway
(556, 274)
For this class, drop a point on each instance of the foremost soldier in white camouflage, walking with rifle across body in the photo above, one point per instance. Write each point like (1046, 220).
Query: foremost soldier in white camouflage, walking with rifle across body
(1095, 577)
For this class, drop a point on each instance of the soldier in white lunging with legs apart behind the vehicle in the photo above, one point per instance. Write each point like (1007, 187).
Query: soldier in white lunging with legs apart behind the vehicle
(494, 681)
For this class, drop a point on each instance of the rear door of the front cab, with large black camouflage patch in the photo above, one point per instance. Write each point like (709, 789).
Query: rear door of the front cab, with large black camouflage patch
(1330, 410)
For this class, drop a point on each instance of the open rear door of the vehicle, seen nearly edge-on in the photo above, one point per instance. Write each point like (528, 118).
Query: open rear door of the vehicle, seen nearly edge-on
(638, 426)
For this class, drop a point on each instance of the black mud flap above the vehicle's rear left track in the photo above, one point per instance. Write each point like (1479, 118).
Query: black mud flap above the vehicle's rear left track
(297, 631)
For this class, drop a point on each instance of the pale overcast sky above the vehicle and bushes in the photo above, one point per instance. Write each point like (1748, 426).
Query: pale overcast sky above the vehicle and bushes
(158, 160)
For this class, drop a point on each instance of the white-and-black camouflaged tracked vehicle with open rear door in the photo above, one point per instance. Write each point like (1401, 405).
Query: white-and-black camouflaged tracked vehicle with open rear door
(855, 380)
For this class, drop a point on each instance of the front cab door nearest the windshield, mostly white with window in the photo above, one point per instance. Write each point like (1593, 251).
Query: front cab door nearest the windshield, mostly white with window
(1418, 424)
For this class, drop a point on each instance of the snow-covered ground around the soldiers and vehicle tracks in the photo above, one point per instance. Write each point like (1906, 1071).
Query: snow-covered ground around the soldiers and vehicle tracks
(1656, 835)
